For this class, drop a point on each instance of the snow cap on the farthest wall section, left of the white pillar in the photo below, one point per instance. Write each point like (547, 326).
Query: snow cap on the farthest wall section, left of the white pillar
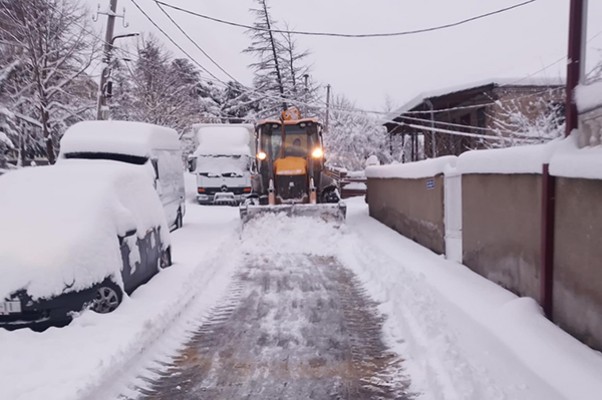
(419, 169)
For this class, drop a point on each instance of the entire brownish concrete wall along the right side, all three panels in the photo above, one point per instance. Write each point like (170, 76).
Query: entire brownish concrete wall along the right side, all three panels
(501, 236)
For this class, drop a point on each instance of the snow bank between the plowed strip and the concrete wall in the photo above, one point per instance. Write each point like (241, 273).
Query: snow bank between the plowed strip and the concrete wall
(463, 337)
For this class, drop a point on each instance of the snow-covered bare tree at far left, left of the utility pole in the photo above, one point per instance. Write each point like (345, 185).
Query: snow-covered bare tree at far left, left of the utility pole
(49, 47)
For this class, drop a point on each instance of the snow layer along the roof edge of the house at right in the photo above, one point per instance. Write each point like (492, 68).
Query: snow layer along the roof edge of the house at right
(498, 82)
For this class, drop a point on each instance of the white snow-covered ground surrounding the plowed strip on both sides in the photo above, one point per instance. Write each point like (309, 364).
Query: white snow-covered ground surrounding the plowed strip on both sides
(461, 336)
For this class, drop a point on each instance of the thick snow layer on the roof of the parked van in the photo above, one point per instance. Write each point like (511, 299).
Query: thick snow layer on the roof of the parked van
(119, 137)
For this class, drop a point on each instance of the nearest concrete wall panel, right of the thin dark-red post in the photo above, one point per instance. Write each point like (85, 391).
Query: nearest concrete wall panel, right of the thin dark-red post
(578, 259)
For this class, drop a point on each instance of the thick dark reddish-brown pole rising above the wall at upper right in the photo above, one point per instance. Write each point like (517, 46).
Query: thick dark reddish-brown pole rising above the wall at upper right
(576, 60)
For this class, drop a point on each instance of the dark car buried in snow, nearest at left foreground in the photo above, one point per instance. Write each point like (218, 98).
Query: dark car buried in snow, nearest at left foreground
(74, 236)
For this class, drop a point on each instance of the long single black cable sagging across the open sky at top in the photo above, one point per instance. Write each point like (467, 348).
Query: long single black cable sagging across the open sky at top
(347, 35)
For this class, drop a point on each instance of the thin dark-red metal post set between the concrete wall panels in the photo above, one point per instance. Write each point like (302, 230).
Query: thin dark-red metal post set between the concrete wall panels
(548, 197)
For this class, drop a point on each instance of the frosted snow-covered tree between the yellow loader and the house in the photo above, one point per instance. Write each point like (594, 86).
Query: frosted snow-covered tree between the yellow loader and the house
(353, 136)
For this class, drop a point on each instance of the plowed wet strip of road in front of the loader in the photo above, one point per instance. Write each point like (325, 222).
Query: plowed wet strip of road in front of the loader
(296, 327)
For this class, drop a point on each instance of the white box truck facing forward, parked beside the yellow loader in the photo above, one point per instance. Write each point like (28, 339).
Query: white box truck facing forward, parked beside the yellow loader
(222, 162)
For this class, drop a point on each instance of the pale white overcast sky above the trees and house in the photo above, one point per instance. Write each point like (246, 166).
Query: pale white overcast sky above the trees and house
(508, 45)
